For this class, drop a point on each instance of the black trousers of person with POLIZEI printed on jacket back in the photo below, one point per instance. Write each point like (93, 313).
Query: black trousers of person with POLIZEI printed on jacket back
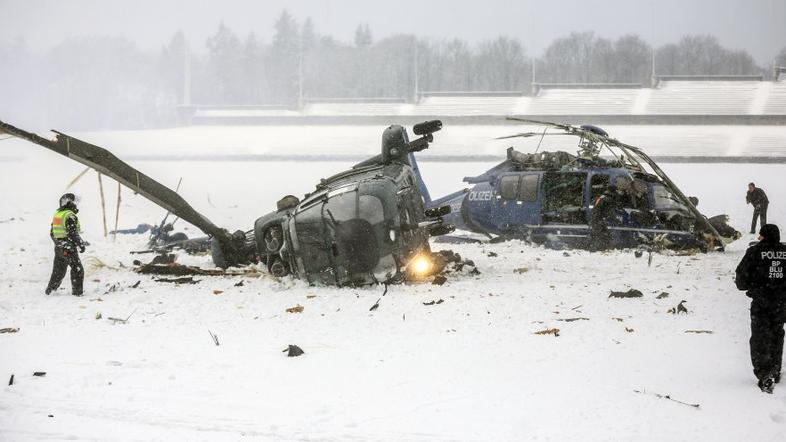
(767, 319)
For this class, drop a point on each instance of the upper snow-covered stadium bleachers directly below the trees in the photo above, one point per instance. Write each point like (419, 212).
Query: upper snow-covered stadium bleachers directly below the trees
(671, 98)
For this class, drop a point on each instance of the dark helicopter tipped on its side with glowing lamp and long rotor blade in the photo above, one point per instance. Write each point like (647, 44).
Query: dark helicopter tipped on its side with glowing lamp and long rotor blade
(361, 226)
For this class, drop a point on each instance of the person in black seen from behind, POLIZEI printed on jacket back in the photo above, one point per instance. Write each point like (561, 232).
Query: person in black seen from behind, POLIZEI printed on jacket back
(761, 273)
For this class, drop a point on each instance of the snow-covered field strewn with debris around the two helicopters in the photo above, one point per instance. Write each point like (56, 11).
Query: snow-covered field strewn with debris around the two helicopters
(469, 368)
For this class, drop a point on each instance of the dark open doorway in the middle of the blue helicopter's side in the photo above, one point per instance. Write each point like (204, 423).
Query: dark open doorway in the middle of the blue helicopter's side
(563, 198)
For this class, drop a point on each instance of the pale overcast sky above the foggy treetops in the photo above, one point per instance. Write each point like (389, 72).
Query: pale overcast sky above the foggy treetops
(756, 25)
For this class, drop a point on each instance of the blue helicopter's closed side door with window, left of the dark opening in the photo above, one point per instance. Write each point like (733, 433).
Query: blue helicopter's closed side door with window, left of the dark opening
(517, 204)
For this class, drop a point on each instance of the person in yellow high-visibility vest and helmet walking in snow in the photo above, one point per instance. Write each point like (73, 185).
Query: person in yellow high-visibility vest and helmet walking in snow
(64, 231)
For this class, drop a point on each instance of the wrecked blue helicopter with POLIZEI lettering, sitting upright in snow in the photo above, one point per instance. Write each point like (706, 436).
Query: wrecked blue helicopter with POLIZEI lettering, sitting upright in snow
(549, 198)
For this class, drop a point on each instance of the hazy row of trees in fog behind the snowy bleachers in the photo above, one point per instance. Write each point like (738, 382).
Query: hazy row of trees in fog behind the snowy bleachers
(106, 82)
